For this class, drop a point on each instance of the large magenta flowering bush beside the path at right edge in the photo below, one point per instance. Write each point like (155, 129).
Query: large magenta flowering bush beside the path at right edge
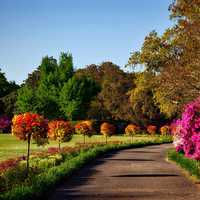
(186, 131)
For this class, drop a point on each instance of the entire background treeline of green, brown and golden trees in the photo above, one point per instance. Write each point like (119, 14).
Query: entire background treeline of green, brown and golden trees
(155, 95)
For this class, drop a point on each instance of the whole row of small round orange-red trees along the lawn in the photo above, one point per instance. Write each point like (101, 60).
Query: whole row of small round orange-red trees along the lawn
(29, 126)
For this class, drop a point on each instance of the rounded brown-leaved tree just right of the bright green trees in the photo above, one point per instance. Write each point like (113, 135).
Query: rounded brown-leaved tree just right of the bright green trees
(112, 102)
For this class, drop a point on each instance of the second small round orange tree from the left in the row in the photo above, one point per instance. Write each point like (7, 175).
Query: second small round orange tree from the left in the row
(60, 130)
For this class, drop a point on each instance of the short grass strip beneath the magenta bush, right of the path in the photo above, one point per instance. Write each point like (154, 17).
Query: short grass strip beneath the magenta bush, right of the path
(191, 166)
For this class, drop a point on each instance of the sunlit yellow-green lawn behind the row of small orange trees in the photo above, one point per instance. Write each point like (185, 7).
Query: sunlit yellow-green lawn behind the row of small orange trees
(10, 147)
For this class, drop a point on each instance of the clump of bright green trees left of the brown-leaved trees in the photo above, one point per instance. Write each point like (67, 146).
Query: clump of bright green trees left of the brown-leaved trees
(53, 91)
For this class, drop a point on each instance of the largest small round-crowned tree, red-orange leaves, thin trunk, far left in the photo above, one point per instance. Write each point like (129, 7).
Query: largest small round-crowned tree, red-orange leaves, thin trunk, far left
(29, 126)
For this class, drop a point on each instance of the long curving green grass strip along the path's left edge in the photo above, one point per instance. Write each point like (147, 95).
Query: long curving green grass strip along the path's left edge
(42, 183)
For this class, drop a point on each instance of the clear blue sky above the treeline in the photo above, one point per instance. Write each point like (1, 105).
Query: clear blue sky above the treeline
(92, 30)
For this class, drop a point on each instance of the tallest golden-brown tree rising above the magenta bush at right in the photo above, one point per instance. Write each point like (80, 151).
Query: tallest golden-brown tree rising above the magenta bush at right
(174, 58)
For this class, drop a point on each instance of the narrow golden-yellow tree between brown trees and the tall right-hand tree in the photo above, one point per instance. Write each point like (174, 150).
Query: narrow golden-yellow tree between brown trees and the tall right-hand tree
(141, 97)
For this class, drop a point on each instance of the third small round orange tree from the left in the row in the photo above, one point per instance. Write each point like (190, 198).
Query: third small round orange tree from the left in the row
(84, 128)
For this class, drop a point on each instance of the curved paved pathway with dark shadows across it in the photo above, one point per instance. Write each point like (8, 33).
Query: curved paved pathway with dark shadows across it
(134, 174)
